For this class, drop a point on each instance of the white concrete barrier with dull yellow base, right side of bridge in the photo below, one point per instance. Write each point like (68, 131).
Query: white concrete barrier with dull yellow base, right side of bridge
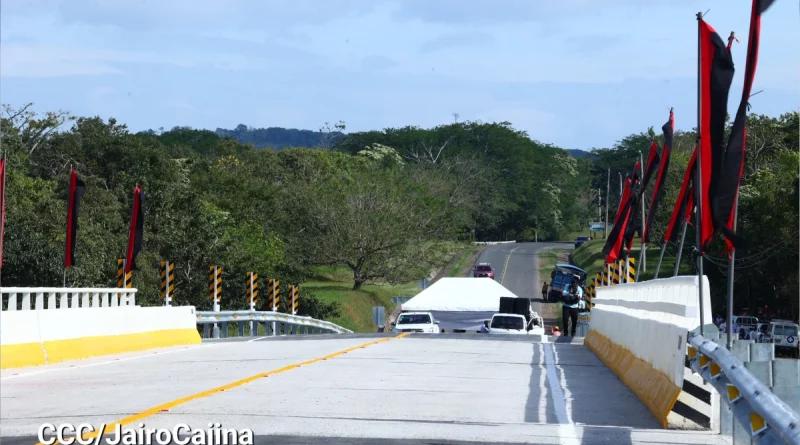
(639, 331)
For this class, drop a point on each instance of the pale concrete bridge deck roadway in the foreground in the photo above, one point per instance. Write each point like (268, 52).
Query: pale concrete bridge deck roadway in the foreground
(337, 390)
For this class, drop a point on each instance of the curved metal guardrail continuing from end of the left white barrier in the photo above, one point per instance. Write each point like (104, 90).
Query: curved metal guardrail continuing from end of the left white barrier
(242, 317)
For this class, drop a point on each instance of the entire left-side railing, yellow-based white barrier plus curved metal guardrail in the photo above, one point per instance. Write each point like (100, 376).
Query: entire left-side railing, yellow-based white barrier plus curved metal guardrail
(42, 325)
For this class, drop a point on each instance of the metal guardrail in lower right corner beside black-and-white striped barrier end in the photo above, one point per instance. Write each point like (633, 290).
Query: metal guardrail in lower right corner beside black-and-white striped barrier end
(770, 420)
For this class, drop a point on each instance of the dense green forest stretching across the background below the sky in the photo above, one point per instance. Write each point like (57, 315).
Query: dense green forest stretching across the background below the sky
(387, 205)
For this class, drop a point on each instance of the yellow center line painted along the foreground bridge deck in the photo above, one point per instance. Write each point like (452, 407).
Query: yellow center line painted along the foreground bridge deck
(169, 405)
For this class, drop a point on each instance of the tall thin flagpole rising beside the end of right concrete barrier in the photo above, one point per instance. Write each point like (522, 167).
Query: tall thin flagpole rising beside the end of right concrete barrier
(698, 174)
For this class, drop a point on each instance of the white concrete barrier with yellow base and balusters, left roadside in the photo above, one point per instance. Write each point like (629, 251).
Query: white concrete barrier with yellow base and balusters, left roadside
(55, 334)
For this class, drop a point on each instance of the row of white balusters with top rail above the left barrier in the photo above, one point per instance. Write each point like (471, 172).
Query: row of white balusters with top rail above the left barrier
(19, 298)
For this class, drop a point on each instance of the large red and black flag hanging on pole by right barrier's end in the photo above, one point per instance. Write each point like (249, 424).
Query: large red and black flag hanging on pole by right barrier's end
(716, 75)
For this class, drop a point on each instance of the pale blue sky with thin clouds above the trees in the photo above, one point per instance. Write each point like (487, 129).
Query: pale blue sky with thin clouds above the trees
(575, 73)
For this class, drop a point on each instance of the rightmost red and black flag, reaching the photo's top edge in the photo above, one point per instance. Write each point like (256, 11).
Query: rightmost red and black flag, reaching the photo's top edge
(723, 200)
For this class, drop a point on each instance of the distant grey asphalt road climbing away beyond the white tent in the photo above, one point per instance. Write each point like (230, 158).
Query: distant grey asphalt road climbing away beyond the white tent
(516, 268)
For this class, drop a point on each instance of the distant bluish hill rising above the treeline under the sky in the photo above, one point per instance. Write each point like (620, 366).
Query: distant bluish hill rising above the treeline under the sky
(278, 137)
